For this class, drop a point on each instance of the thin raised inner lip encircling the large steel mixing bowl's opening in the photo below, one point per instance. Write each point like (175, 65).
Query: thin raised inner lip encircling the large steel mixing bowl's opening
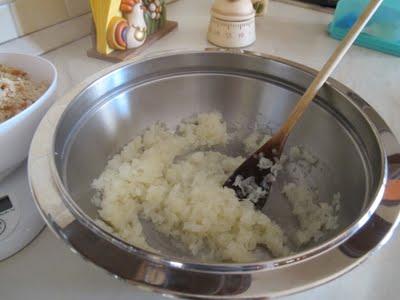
(225, 267)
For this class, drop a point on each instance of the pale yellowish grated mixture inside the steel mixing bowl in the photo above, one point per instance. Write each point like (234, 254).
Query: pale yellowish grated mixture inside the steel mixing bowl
(169, 179)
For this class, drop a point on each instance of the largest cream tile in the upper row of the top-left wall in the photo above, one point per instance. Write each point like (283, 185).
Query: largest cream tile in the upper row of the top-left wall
(32, 15)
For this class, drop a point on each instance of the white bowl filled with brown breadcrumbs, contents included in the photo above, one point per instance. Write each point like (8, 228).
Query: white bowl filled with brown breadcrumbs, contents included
(18, 125)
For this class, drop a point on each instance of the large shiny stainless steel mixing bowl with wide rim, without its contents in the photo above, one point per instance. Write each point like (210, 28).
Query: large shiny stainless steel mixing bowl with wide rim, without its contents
(250, 91)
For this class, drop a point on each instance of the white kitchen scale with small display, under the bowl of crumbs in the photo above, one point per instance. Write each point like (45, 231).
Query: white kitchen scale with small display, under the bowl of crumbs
(20, 221)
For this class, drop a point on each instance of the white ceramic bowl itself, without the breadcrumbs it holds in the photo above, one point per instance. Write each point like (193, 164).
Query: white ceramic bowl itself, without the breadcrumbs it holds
(16, 133)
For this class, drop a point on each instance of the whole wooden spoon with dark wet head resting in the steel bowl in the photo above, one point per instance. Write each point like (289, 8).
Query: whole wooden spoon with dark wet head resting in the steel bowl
(273, 148)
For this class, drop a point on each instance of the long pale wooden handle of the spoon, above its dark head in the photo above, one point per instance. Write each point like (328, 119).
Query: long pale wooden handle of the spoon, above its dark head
(327, 69)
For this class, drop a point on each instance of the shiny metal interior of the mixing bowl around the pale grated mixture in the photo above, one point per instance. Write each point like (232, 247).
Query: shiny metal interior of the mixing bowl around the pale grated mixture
(250, 92)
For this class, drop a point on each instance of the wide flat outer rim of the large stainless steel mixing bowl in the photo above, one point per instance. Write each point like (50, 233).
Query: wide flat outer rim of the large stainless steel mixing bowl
(260, 283)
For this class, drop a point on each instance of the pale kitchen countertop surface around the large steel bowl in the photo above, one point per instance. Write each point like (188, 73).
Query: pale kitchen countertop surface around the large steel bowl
(47, 269)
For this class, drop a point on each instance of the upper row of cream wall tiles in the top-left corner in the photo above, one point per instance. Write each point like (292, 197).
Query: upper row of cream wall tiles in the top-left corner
(20, 17)
